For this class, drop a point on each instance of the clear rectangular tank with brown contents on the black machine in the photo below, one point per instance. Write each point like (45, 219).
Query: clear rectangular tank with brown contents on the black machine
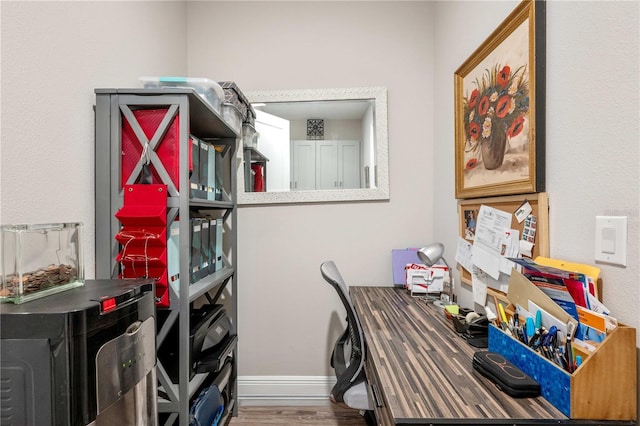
(39, 260)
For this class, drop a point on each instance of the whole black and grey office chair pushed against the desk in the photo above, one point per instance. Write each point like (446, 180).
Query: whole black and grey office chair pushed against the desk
(349, 352)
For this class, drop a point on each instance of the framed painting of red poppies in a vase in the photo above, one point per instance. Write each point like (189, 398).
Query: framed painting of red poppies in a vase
(500, 109)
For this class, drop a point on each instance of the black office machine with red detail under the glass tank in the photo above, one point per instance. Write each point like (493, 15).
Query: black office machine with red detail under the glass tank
(85, 356)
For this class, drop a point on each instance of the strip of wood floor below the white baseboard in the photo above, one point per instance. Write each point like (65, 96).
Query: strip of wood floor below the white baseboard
(332, 415)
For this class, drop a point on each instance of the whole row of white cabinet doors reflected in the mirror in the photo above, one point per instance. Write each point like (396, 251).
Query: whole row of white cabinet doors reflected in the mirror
(325, 164)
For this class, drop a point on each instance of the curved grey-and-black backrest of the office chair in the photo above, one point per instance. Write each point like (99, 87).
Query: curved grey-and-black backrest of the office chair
(355, 370)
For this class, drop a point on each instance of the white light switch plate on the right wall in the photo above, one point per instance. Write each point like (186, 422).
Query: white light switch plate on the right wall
(611, 239)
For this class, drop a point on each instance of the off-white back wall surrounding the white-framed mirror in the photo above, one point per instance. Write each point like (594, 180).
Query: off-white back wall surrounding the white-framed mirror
(289, 316)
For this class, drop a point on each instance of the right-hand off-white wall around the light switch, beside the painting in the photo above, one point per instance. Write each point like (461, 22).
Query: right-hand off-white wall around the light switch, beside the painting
(594, 158)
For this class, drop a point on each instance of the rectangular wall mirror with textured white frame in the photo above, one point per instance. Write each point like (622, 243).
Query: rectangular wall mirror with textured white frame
(316, 145)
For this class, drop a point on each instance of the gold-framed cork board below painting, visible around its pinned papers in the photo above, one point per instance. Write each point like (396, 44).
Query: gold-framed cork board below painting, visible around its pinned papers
(539, 203)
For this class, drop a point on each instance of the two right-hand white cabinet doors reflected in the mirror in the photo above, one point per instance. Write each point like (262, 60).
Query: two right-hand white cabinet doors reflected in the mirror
(337, 164)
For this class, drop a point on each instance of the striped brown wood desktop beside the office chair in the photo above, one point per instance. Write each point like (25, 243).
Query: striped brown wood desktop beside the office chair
(420, 369)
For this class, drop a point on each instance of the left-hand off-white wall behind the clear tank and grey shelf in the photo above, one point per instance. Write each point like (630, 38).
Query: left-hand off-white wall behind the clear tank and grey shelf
(54, 54)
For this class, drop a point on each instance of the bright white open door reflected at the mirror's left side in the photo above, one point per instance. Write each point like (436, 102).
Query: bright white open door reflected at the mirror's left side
(274, 144)
